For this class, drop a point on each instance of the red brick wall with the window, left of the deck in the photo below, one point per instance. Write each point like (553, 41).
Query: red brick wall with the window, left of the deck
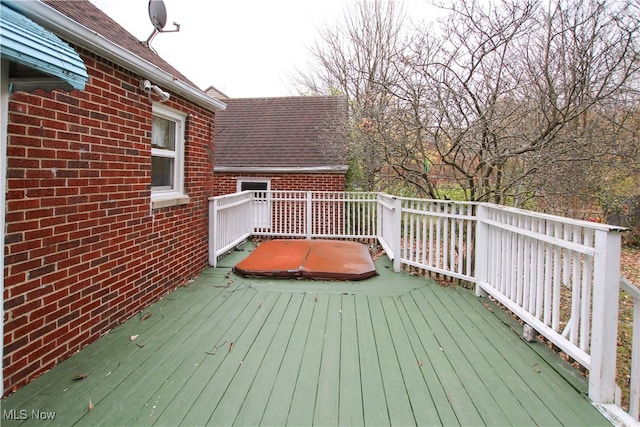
(83, 249)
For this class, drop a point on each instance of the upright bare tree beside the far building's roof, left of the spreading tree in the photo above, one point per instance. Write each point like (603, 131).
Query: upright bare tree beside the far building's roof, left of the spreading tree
(354, 59)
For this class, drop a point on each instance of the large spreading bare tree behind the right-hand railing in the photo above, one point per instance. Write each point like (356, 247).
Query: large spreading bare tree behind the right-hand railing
(518, 90)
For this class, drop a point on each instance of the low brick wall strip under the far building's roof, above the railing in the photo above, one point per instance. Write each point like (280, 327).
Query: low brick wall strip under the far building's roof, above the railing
(226, 183)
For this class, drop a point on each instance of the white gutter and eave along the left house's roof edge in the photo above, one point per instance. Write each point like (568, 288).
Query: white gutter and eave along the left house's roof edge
(80, 35)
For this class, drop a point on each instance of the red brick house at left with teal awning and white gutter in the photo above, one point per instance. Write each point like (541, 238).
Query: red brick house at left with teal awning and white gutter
(107, 183)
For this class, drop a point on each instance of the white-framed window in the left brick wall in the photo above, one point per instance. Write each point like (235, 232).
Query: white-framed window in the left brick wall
(167, 157)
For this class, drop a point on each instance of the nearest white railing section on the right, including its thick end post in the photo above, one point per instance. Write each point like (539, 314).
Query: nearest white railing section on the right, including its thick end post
(537, 264)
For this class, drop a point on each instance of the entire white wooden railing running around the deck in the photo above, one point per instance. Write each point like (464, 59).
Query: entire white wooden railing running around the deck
(534, 264)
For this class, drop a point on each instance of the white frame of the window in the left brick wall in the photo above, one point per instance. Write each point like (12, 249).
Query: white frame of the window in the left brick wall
(166, 196)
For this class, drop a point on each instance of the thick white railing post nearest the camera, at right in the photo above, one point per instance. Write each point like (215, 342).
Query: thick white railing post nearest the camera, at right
(604, 332)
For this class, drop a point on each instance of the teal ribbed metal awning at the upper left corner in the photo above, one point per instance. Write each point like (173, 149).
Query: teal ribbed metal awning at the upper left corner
(28, 44)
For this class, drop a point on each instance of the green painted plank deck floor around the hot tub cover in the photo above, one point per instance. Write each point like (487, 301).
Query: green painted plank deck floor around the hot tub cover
(391, 350)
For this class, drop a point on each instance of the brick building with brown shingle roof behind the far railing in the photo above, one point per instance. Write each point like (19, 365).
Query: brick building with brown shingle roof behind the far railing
(285, 143)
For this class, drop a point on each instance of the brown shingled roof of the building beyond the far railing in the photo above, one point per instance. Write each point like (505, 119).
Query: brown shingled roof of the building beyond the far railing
(305, 133)
